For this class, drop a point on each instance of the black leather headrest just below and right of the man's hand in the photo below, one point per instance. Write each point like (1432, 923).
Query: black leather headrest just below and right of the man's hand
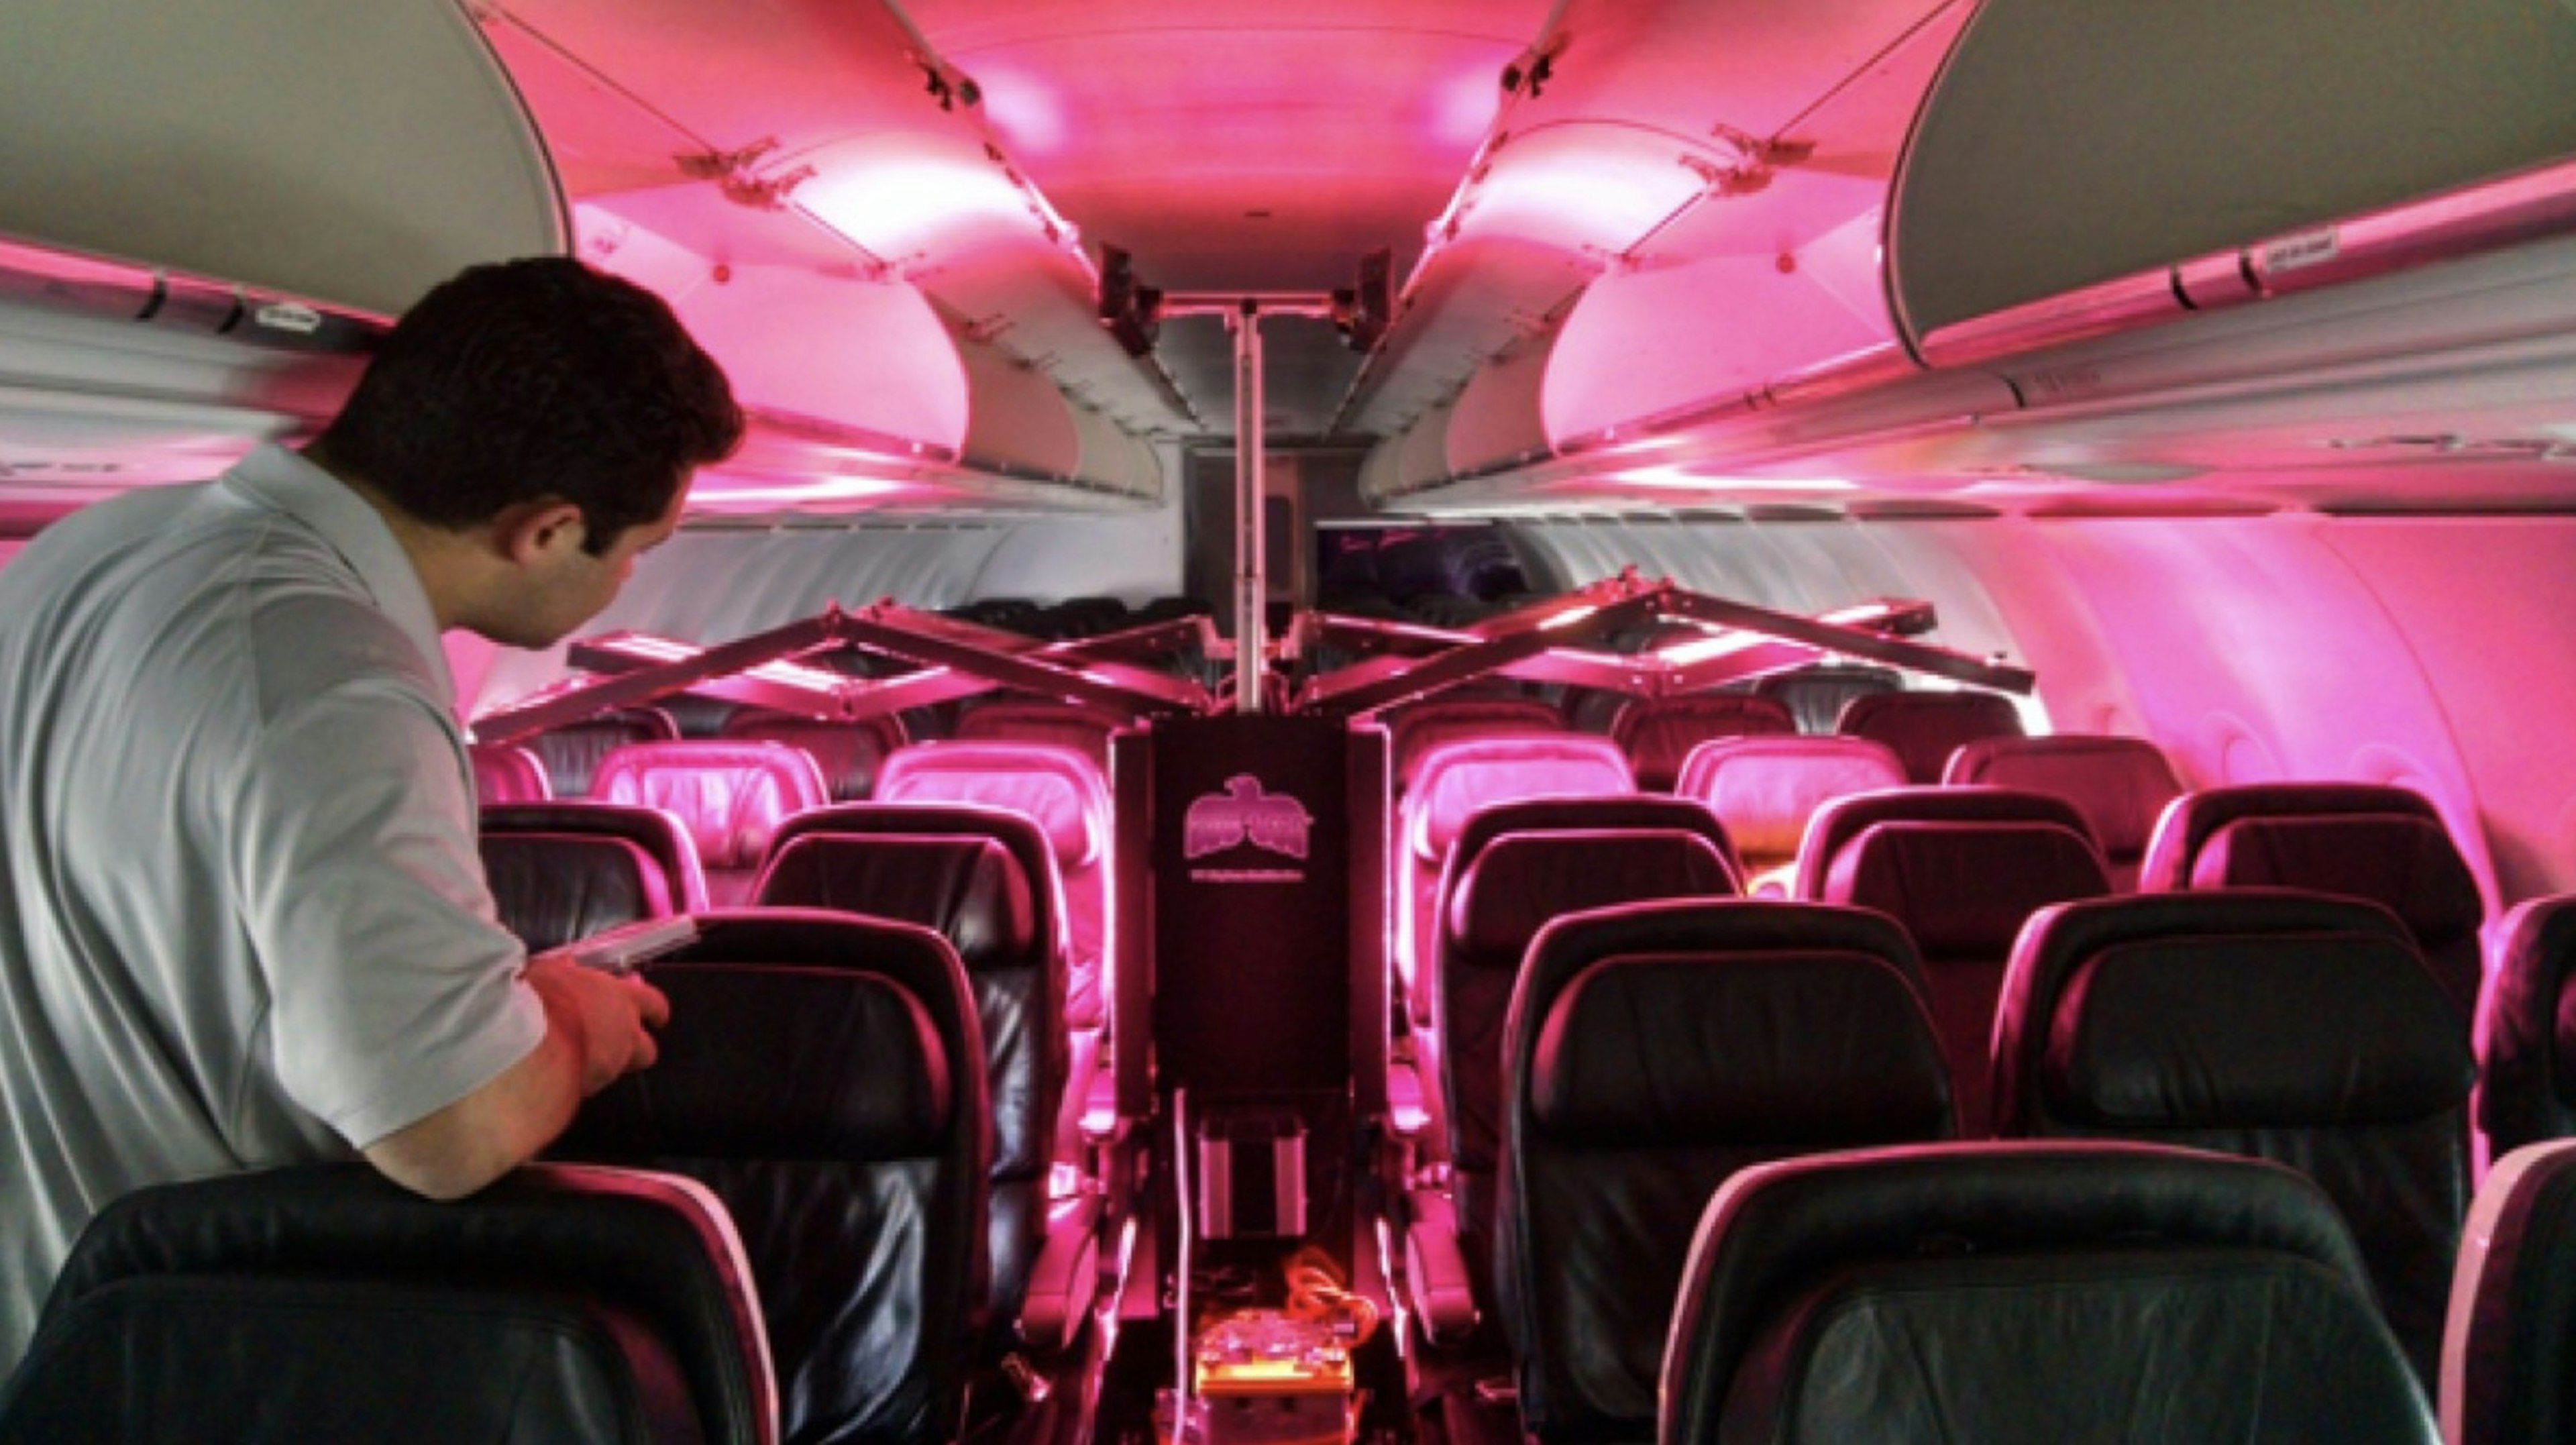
(779, 1062)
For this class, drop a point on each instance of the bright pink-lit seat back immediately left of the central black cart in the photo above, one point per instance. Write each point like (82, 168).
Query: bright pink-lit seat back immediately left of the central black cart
(1063, 792)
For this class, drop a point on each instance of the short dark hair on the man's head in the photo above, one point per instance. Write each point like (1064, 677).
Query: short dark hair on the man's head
(535, 380)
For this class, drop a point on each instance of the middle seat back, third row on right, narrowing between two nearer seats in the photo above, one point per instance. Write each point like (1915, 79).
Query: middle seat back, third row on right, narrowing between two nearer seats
(1962, 869)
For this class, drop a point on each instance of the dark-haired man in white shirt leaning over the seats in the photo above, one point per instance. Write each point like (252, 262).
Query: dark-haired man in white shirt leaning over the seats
(243, 918)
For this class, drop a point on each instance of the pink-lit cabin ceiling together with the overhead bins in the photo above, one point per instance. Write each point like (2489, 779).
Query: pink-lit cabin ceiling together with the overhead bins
(1645, 254)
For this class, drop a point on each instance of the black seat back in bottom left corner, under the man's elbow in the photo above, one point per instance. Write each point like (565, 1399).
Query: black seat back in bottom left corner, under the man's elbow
(560, 1305)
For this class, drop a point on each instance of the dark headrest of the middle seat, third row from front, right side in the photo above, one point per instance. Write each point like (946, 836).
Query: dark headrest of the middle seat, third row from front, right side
(1964, 887)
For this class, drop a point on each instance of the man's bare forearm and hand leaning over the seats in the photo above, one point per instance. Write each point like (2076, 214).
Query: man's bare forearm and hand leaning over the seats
(596, 1032)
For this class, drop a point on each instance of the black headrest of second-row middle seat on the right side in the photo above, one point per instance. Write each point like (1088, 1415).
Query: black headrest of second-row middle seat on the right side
(2227, 1011)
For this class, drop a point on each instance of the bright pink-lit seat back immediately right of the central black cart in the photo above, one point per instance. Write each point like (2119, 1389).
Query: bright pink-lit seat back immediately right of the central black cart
(1452, 784)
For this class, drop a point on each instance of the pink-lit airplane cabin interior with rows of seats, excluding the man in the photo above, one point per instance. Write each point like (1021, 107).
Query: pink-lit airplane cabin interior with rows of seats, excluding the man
(1431, 722)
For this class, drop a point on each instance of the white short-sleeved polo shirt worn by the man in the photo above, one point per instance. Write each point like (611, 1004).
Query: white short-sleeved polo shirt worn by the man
(243, 918)
